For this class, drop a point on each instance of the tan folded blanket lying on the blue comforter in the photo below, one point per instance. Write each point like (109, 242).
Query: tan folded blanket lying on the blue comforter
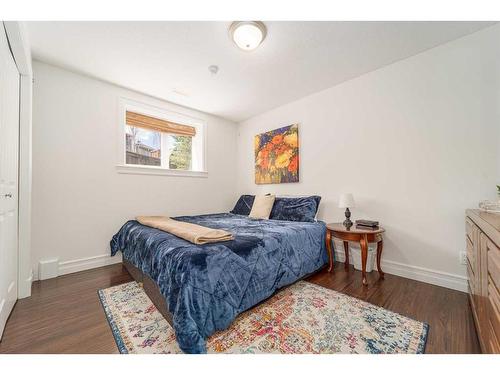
(196, 234)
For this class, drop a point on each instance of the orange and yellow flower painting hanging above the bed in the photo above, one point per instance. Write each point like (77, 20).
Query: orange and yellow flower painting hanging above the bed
(277, 156)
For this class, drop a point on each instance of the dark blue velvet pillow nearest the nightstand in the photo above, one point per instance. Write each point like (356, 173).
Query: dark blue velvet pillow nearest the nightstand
(295, 209)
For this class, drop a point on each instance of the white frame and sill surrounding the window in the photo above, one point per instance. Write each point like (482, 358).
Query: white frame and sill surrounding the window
(198, 150)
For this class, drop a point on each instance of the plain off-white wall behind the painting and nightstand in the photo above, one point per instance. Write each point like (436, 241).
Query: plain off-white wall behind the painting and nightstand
(416, 142)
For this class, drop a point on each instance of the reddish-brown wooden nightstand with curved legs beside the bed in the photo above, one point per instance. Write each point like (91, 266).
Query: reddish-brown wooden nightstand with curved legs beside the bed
(363, 236)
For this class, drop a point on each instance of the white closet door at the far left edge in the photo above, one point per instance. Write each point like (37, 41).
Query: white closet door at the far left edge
(9, 145)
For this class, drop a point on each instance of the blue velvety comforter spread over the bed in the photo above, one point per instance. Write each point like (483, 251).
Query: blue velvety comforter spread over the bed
(207, 286)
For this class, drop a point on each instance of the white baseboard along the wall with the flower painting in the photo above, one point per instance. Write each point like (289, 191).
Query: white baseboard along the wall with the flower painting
(425, 275)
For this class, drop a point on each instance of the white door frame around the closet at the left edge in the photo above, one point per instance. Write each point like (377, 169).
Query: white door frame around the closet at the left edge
(17, 37)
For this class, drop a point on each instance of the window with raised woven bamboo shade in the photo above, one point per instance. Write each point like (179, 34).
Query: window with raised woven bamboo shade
(162, 141)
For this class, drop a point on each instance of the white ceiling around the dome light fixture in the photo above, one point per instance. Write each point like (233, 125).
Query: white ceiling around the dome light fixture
(170, 60)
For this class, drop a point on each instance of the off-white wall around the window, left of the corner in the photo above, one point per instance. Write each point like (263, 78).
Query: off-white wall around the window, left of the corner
(79, 199)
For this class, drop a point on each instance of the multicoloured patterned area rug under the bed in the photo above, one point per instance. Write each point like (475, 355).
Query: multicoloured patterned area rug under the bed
(303, 318)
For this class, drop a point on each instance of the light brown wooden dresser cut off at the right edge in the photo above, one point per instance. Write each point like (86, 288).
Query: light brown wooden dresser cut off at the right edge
(483, 271)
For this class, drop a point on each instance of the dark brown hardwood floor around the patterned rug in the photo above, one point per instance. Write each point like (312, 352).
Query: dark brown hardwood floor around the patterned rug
(64, 315)
